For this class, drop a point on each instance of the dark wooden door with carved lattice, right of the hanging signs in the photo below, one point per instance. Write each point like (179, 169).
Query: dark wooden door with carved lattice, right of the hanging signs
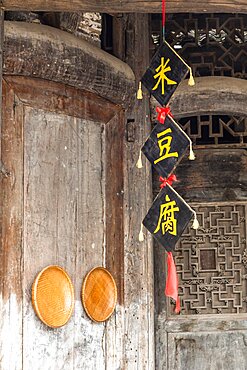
(211, 331)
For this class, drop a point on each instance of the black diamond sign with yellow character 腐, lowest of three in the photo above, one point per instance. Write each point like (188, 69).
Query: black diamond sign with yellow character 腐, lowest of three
(168, 217)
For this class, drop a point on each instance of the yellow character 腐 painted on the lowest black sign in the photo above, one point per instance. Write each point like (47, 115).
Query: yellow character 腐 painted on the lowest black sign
(167, 221)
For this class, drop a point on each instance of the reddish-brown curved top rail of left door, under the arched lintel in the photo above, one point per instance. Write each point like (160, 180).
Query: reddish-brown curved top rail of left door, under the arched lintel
(60, 98)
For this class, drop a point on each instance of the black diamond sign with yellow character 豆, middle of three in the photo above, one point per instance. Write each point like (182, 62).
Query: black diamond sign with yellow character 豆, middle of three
(165, 146)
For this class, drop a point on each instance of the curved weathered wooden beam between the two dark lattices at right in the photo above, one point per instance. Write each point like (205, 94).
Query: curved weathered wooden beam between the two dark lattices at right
(210, 95)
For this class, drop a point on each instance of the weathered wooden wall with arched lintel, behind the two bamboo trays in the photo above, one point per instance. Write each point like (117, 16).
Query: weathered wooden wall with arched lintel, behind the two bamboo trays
(72, 196)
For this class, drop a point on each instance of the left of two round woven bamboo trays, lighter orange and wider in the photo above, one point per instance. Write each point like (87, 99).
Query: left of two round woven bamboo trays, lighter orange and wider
(53, 296)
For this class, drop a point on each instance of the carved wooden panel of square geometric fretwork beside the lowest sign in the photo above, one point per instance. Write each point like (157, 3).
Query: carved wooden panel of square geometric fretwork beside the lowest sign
(212, 261)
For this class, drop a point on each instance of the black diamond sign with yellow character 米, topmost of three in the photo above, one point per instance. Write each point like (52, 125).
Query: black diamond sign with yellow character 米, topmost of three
(164, 73)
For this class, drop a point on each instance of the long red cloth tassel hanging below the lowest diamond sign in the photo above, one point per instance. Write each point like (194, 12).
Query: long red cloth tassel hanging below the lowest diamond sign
(172, 281)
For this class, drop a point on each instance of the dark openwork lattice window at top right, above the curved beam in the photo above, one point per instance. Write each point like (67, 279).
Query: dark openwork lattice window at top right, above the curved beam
(213, 44)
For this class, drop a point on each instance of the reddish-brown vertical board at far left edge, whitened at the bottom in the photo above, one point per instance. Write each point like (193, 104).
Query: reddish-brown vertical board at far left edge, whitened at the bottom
(11, 251)
